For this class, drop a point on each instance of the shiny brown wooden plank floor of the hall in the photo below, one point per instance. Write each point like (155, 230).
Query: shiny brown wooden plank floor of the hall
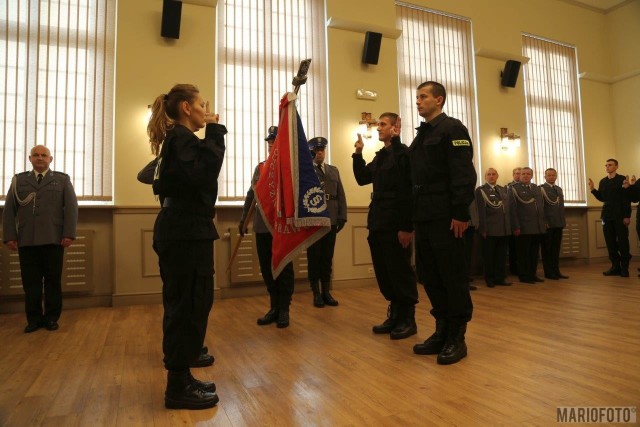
(532, 348)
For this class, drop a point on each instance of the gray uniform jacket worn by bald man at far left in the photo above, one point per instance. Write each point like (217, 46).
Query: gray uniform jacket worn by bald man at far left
(50, 214)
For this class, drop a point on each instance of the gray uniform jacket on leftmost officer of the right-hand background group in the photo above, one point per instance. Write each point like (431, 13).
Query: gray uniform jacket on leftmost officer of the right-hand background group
(493, 210)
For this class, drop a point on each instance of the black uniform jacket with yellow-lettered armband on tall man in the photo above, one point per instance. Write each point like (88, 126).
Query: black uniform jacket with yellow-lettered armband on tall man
(442, 171)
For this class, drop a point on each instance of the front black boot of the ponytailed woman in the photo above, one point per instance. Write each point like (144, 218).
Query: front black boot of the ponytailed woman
(182, 393)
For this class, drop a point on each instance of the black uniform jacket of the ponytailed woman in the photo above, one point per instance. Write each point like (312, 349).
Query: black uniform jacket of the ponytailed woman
(187, 181)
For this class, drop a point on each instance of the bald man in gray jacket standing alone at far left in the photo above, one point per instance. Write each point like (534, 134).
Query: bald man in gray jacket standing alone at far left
(39, 221)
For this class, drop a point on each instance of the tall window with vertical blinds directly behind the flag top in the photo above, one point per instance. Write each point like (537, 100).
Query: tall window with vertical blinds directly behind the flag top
(260, 45)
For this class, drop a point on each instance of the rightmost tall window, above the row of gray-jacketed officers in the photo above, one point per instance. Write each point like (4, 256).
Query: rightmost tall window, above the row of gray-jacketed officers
(554, 121)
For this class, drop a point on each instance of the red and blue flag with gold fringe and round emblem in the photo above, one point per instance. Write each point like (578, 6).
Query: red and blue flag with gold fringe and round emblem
(288, 193)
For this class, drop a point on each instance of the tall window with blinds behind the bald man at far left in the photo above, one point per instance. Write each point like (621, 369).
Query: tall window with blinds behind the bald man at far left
(56, 89)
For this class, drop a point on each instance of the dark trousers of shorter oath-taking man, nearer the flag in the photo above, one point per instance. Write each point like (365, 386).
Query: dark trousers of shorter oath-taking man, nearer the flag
(392, 265)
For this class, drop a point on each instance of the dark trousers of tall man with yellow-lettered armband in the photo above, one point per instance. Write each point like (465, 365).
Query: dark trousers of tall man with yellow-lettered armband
(438, 259)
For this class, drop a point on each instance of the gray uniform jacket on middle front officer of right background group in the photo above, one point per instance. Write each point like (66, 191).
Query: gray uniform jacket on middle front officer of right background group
(526, 209)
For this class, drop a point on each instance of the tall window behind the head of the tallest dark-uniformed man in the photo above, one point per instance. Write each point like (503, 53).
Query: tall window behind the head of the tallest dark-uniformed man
(435, 46)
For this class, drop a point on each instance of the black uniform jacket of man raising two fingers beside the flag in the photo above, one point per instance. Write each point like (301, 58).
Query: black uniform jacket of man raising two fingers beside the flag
(389, 172)
